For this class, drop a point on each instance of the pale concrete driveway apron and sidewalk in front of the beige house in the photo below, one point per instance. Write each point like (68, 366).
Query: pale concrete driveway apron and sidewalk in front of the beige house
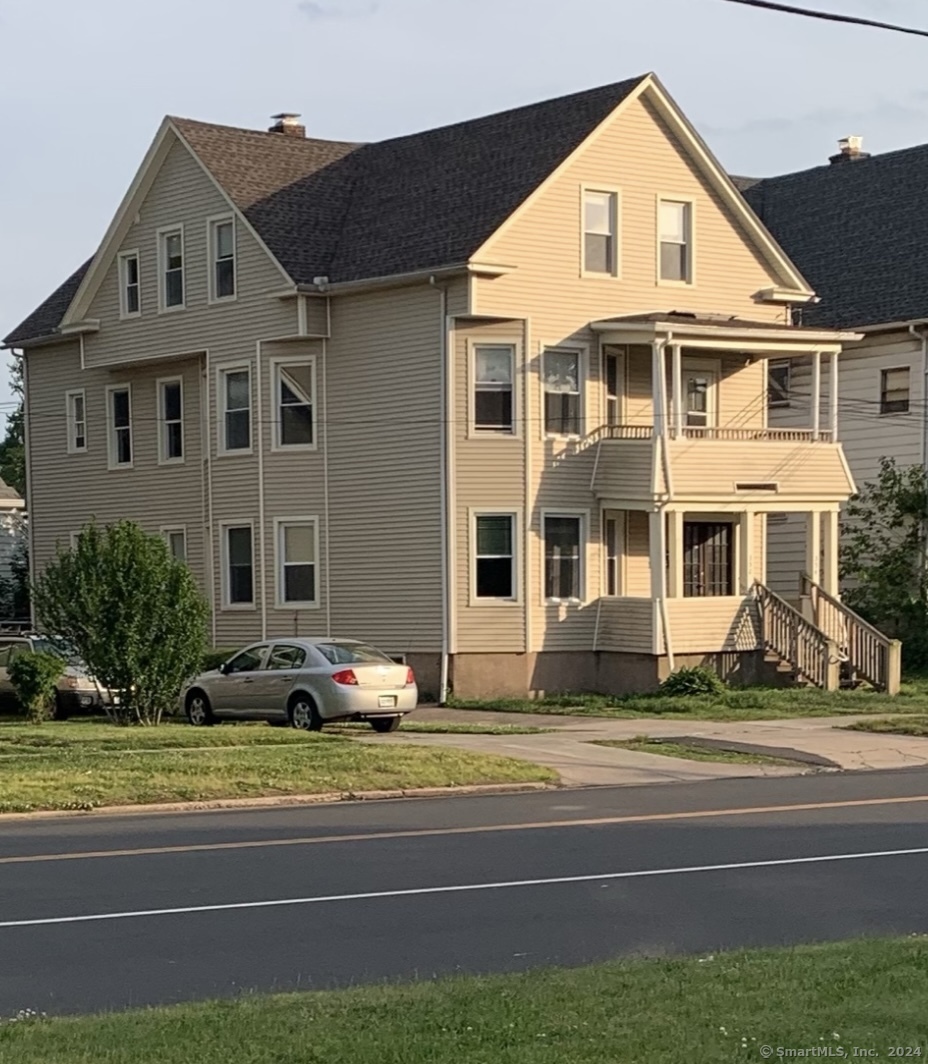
(569, 747)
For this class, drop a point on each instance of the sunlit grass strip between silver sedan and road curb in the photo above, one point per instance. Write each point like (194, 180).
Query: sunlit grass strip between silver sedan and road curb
(85, 766)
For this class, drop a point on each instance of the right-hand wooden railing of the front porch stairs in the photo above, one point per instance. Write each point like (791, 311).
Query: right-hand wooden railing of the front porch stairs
(871, 655)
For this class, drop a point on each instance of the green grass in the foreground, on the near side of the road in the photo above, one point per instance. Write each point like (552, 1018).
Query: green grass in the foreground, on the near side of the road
(683, 1011)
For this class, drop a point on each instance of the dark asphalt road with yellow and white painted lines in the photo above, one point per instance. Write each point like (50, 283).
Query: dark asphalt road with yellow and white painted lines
(103, 913)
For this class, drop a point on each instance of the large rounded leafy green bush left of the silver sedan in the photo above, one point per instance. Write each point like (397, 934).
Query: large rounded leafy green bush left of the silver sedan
(131, 611)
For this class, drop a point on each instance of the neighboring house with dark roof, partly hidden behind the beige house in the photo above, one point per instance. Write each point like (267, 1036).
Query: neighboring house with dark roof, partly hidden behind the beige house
(853, 228)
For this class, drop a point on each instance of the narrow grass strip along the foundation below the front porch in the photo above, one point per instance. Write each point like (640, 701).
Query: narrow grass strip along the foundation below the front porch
(736, 704)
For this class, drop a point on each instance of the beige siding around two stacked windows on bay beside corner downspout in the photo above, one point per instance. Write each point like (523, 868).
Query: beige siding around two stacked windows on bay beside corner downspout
(490, 474)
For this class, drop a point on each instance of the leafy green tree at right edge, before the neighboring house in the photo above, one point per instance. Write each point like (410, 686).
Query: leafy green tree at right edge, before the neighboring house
(884, 557)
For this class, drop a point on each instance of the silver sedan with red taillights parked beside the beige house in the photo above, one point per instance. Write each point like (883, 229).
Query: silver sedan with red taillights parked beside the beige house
(305, 684)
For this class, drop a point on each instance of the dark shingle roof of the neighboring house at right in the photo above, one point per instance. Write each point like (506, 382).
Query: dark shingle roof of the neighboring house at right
(857, 232)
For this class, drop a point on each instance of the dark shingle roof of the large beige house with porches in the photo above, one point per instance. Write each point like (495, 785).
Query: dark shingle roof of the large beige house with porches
(353, 212)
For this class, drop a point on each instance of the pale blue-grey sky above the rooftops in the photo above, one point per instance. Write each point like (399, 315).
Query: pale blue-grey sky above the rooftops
(86, 85)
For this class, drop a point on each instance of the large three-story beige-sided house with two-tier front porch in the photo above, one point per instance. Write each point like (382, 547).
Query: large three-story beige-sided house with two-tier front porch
(491, 396)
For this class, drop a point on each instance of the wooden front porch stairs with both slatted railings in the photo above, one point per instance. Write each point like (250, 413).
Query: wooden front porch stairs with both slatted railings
(824, 643)
